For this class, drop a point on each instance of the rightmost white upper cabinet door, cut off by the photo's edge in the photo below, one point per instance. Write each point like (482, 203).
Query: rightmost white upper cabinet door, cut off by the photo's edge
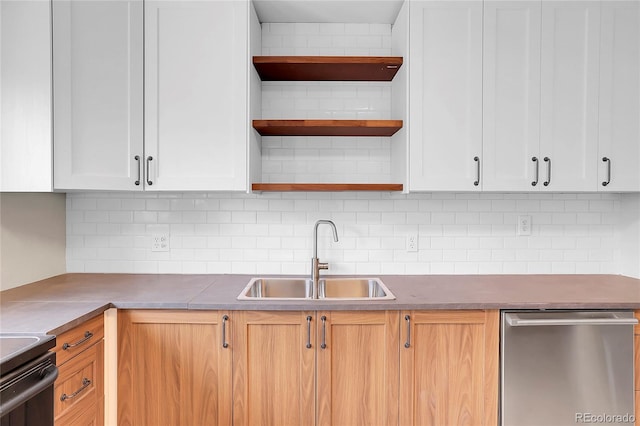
(619, 121)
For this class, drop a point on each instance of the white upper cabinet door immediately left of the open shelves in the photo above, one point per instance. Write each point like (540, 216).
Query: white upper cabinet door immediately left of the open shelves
(196, 120)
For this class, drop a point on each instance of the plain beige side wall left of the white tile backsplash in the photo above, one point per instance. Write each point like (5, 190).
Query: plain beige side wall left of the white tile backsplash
(32, 237)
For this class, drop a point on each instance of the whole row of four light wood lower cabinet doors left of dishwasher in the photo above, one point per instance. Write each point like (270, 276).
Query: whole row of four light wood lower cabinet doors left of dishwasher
(308, 368)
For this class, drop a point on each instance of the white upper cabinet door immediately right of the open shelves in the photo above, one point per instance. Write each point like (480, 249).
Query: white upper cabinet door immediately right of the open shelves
(446, 95)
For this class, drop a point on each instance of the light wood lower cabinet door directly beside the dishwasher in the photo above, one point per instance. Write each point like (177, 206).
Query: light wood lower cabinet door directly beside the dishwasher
(449, 364)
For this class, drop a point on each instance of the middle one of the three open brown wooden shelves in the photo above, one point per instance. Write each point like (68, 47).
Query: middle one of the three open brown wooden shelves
(327, 127)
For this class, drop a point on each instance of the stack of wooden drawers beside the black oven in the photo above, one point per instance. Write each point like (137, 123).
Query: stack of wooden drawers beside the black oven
(79, 388)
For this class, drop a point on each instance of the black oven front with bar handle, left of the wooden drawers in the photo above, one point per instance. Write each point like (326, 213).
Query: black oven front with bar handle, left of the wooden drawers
(26, 393)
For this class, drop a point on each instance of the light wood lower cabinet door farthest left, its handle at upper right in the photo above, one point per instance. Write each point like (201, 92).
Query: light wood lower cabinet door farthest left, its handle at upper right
(173, 368)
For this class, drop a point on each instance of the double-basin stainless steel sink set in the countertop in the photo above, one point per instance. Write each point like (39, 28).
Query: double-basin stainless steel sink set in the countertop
(328, 289)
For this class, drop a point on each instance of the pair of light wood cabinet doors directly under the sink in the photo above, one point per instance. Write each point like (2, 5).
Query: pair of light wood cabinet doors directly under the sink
(288, 366)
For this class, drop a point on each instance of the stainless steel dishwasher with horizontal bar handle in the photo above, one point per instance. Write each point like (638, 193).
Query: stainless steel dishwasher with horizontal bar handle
(567, 368)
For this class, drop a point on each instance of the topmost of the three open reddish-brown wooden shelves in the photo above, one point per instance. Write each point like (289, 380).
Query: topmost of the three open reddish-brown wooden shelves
(327, 68)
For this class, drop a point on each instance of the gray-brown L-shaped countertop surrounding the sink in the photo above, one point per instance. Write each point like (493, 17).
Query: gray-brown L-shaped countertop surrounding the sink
(59, 303)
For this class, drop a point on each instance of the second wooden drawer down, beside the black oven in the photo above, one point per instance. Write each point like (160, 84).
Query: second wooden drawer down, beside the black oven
(80, 383)
